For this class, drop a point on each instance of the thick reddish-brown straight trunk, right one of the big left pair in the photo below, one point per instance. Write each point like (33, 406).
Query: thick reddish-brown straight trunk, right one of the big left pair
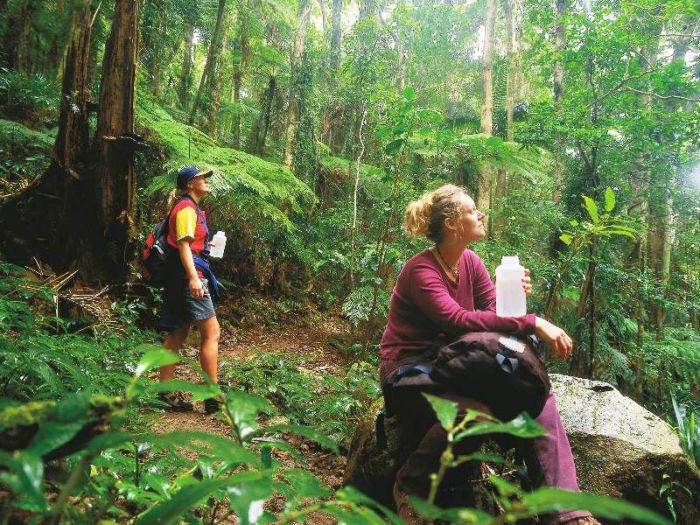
(115, 180)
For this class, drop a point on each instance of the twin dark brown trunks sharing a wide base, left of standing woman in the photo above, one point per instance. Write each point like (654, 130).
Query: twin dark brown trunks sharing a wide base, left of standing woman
(78, 212)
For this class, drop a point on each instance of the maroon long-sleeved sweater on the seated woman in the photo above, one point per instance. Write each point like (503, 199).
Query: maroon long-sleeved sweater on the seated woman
(426, 306)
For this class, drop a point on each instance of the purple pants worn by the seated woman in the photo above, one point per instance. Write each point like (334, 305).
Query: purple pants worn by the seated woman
(549, 459)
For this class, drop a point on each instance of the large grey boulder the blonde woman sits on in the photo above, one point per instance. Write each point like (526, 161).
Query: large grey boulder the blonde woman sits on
(620, 448)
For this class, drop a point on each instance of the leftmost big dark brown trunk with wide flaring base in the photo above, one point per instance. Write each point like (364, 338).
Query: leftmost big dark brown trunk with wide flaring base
(54, 217)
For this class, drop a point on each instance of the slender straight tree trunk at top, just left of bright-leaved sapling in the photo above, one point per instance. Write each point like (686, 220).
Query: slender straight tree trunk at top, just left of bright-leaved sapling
(558, 89)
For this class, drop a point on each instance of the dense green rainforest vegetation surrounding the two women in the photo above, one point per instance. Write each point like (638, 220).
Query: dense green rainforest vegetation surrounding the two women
(574, 124)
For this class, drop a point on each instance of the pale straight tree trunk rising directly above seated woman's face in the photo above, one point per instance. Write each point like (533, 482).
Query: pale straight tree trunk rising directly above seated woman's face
(486, 175)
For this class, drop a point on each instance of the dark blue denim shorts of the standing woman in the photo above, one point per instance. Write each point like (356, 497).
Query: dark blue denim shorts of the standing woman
(180, 308)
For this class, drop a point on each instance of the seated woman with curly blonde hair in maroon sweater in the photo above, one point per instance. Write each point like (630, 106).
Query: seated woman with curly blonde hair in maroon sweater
(441, 293)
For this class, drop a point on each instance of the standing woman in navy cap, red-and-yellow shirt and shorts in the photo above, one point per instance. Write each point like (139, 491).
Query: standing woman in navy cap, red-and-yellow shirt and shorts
(191, 287)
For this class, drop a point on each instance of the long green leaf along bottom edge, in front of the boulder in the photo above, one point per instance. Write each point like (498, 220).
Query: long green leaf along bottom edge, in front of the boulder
(552, 500)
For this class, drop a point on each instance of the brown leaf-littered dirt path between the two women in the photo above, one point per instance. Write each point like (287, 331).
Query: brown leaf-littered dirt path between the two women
(299, 336)
